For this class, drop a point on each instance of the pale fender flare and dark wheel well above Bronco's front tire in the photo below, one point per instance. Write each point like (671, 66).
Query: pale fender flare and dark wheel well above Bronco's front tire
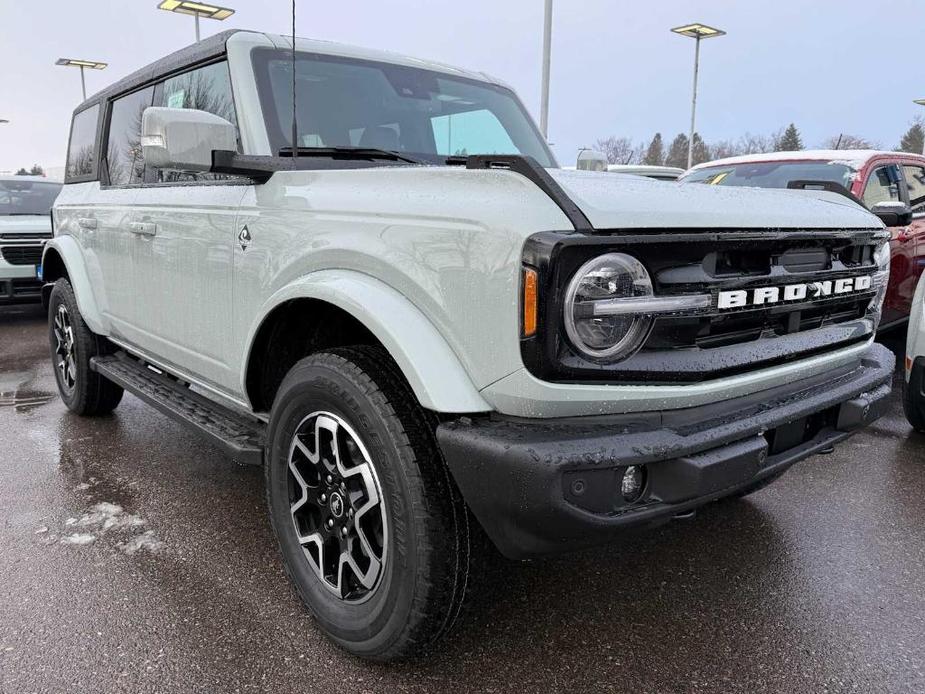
(367, 311)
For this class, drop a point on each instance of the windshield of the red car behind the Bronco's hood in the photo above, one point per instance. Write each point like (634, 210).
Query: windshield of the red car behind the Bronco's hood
(773, 174)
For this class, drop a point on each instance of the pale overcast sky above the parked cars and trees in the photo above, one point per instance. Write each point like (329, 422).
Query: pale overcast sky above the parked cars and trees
(828, 65)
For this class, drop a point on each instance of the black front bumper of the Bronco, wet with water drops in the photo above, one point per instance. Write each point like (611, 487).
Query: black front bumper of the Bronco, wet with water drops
(551, 486)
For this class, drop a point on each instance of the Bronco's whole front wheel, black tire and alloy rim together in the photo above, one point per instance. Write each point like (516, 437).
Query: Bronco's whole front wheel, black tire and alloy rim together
(372, 530)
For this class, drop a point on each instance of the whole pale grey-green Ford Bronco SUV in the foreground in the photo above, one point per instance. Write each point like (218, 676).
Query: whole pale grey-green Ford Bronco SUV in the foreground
(367, 273)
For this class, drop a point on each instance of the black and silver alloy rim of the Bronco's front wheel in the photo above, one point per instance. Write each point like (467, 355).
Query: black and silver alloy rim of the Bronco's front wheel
(336, 505)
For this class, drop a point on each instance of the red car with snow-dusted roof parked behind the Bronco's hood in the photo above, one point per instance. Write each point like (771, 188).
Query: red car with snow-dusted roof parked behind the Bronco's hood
(889, 184)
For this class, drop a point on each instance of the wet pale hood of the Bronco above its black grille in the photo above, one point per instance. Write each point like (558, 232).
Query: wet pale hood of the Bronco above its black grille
(619, 201)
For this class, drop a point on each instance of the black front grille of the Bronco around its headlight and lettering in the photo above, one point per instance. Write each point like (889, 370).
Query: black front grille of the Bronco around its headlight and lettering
(714, 343)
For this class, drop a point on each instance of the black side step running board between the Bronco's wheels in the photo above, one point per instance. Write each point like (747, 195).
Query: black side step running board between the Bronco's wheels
(241, 436)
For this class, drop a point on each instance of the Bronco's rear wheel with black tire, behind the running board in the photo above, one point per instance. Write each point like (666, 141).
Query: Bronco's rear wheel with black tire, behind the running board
(73, 344)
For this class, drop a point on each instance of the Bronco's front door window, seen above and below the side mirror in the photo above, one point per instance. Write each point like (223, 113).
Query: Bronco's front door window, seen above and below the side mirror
(207, 89)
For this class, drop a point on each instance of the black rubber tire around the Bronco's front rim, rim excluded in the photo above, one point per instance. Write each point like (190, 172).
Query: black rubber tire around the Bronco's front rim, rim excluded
(424, 578)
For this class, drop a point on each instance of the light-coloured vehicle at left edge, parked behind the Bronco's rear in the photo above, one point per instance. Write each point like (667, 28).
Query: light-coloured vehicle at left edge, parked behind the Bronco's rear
(25, 226)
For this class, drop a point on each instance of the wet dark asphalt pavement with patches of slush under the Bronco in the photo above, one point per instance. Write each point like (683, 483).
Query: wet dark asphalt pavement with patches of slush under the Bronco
(814, 584)
